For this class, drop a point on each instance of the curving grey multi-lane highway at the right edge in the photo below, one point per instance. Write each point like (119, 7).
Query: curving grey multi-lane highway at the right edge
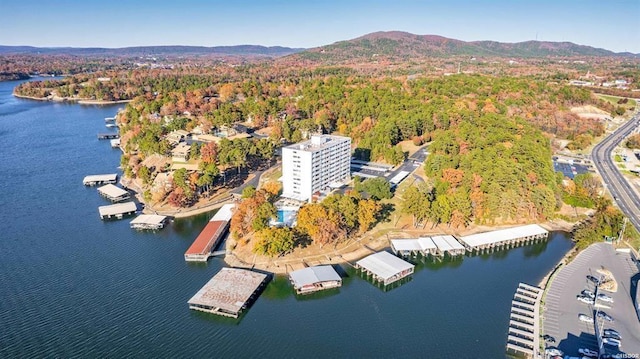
(624, 196)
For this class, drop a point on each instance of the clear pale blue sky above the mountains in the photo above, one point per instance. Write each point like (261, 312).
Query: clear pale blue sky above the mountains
(610, 24)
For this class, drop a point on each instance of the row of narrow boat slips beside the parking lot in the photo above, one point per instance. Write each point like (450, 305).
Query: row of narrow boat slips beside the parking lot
(524, 321)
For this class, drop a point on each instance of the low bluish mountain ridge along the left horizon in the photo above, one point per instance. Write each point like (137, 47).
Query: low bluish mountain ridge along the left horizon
(239, 50)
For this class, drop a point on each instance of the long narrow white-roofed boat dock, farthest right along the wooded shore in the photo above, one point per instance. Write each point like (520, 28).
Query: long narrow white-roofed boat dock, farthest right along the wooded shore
(504, 238)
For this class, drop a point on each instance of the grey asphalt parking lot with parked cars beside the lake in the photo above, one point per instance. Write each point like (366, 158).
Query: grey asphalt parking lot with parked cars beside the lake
(561, 308)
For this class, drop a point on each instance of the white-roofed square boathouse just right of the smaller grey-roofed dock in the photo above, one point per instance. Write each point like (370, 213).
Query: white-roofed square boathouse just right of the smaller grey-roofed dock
(385, 267)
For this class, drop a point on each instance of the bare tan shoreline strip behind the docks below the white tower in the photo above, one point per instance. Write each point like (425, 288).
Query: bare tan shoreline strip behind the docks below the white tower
(351, 250)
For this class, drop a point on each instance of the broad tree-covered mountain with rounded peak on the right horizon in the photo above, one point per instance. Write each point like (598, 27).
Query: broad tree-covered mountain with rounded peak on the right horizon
(403, 45)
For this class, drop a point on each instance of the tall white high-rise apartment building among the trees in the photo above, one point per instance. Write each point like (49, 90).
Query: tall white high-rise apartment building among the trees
(315, 165)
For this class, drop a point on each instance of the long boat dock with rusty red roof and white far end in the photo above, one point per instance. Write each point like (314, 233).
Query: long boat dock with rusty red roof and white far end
(208, 239)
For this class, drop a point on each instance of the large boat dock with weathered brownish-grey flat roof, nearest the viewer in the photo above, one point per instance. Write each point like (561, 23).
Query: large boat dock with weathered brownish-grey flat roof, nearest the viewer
(229, 292)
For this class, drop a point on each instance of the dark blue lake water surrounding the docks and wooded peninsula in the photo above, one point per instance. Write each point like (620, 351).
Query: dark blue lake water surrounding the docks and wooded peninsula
(75, 286)
